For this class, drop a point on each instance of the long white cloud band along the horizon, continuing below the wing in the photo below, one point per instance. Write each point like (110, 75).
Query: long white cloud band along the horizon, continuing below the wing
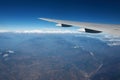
(110, 40)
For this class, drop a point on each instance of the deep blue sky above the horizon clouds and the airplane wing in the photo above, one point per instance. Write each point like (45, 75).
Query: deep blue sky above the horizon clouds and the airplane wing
(19, 14)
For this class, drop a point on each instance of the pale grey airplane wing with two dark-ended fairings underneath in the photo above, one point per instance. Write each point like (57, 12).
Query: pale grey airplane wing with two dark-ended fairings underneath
(89, 27)
